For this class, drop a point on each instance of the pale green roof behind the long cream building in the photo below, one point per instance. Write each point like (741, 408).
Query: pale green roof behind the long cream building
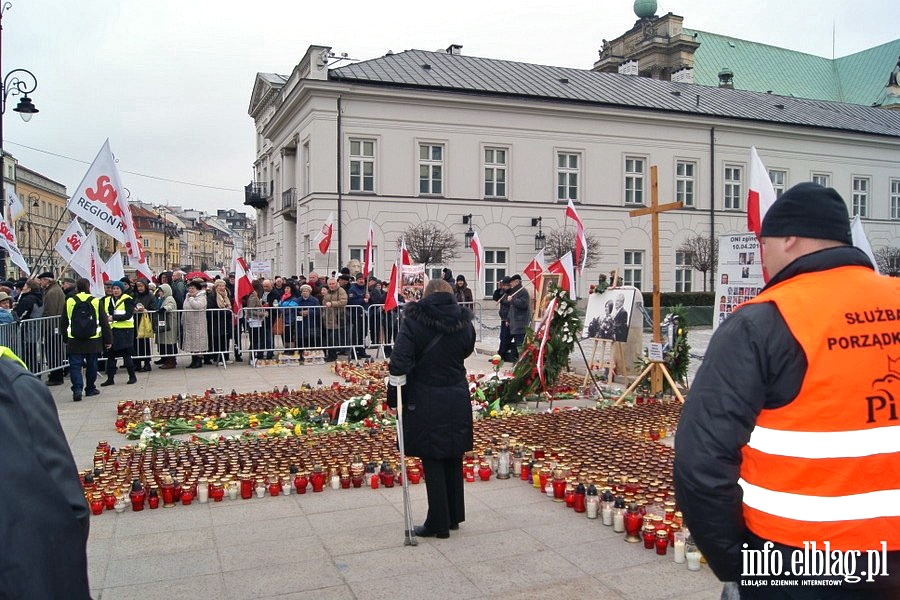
(855, 79)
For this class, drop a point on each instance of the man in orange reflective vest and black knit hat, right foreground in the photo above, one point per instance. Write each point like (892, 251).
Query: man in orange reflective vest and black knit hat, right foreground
(787, 454)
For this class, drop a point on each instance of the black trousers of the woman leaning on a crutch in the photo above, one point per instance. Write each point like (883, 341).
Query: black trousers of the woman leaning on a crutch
(444, 487)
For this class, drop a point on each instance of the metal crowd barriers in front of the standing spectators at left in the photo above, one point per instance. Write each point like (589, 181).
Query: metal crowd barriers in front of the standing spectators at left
(218, 334)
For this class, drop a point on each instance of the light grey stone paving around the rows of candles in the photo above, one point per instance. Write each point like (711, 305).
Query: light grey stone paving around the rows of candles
(515, 543)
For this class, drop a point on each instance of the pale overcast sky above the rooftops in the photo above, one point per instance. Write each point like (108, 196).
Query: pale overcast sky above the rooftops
(169, 82)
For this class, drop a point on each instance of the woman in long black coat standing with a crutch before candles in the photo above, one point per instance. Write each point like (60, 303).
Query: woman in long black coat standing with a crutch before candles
(436, 335)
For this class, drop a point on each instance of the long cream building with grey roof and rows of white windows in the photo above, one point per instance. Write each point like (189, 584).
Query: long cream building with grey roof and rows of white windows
(434, 137)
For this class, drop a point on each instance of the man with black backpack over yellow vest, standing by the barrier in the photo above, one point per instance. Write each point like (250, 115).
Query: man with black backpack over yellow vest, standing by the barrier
(87, 332)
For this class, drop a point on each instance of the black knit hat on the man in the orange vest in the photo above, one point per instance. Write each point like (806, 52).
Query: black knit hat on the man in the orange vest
(808, 210)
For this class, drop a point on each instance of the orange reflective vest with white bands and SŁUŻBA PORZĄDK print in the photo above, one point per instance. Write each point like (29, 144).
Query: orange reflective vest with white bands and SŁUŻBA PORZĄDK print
(826, 467)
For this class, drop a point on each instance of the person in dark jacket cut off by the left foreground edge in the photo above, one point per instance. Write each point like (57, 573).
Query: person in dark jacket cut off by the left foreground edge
(44, 516)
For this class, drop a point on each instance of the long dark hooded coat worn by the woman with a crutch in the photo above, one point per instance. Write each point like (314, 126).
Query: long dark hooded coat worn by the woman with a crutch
(437, 416)
